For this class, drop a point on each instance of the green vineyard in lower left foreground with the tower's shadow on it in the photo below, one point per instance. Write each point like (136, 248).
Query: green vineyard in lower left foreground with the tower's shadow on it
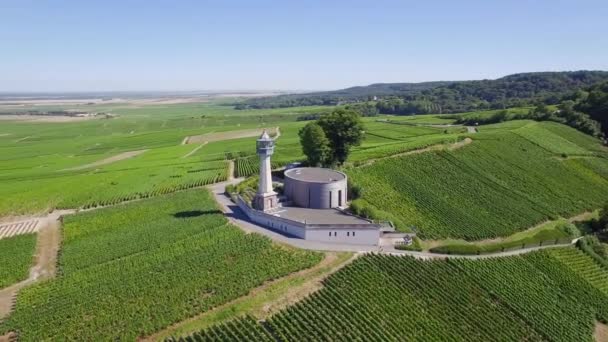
(131, 270)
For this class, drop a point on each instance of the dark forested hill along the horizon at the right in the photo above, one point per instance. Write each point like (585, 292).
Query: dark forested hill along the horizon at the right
(448, 96)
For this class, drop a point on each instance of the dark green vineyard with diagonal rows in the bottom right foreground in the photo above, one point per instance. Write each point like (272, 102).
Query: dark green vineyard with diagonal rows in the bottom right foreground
(388, 298)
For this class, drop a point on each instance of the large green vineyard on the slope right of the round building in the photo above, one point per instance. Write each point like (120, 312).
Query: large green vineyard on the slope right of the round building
(500, 184)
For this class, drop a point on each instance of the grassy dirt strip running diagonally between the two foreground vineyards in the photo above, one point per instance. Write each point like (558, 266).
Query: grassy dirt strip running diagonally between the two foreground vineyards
(264, 300)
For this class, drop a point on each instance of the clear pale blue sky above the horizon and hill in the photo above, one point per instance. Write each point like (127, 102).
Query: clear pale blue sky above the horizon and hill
(217, 45)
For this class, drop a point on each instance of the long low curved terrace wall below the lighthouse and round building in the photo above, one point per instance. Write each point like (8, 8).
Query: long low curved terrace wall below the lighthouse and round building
(357, 234)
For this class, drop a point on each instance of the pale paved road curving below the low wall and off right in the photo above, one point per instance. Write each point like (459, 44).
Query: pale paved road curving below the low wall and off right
(238, 218)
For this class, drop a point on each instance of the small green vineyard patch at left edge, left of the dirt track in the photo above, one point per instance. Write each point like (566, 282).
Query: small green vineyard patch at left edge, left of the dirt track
(16, 253)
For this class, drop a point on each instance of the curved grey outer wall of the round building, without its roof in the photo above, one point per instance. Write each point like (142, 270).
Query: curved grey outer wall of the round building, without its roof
(316, 195)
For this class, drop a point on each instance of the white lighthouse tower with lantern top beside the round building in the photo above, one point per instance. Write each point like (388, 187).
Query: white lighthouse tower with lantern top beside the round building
(265, 199)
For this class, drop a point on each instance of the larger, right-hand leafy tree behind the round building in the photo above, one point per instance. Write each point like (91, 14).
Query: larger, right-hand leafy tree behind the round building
(344, 130)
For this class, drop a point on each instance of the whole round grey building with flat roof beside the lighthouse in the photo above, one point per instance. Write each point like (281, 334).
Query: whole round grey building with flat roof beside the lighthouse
(315, 187)
